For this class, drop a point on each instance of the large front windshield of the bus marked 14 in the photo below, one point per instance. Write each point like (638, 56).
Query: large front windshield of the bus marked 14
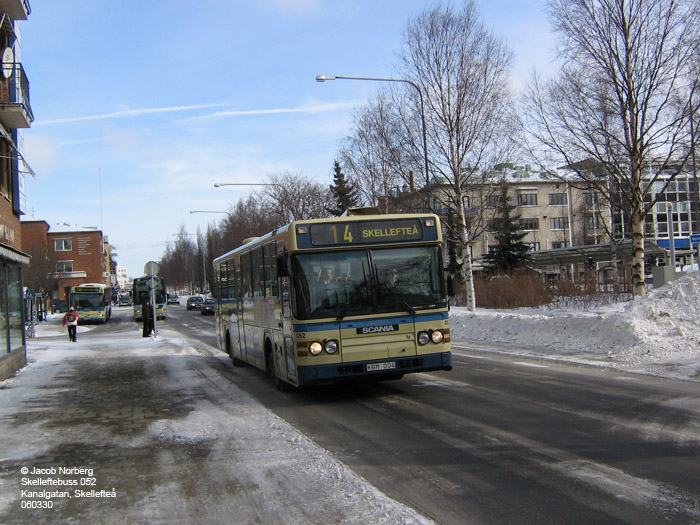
(340, 284)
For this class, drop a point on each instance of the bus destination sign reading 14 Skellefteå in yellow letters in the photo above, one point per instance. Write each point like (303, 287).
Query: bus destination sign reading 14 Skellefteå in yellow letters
(366, 232)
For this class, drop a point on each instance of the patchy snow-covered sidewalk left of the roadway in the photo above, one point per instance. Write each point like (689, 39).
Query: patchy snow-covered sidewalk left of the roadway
(118, 428)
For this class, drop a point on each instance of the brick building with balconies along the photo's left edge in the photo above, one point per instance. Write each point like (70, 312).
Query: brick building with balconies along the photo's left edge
(15, 114)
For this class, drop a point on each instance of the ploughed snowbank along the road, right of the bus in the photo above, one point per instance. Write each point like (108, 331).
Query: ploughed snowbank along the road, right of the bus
(658, 334)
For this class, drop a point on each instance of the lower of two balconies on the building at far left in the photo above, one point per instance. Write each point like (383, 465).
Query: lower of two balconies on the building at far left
(15, 109)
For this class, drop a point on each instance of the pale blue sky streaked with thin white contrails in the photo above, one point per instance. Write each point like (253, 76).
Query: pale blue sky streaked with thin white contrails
(141, 106)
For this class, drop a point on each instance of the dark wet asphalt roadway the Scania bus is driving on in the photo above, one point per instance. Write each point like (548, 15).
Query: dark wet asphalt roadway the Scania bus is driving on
(501, 440)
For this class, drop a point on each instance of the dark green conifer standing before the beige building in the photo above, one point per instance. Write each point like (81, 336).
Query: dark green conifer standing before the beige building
(509, 251)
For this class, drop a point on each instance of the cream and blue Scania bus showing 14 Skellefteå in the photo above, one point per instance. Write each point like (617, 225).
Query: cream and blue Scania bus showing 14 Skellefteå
(325, 300)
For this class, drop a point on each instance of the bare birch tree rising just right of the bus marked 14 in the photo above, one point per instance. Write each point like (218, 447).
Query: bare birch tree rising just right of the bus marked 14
(462, 70)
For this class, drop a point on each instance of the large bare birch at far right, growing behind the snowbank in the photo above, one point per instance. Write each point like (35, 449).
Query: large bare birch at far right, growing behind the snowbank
(623, 99)
